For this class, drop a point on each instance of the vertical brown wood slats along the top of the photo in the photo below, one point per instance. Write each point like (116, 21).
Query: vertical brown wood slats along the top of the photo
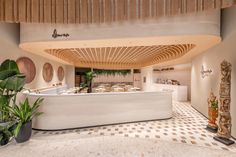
(100, 11)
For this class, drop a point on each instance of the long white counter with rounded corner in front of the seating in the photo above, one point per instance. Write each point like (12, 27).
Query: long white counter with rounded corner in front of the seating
(93, 109)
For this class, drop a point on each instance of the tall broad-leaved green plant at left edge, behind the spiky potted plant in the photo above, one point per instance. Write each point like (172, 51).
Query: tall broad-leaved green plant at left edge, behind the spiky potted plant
(11, 82)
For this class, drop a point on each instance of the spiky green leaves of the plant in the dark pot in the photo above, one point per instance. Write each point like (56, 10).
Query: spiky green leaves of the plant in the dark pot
(24, 113)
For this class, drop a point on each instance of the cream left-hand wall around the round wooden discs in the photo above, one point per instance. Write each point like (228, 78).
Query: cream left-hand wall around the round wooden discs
(9, 49)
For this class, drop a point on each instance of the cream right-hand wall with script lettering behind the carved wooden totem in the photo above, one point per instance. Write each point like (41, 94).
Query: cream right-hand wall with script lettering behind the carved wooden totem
(211, 59)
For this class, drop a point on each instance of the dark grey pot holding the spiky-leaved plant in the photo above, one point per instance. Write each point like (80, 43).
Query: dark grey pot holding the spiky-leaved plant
(25, 133)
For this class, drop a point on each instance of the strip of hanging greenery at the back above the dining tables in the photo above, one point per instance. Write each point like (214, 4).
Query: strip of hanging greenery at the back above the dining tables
(111, 72)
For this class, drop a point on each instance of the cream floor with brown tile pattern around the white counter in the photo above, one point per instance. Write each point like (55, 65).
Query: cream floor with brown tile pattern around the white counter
(186, 126)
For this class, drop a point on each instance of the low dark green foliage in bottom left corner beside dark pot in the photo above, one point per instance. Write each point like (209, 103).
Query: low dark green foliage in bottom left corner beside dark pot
(6, 133)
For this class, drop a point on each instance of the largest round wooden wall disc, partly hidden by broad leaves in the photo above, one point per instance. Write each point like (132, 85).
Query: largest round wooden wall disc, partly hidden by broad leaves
(27, 67)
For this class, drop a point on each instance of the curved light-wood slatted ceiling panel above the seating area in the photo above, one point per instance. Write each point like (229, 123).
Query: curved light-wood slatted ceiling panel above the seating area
(121, 57)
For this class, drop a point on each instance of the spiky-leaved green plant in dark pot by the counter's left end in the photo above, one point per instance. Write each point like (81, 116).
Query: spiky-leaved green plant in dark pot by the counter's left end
(23, 114)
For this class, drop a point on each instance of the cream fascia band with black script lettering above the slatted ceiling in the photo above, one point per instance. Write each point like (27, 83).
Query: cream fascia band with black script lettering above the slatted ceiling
(191, 24)
